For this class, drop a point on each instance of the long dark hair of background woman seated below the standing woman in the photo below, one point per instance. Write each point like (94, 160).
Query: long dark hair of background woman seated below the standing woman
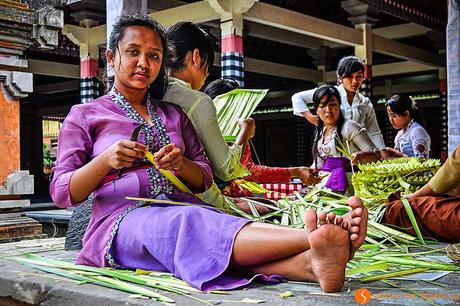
(328, 91)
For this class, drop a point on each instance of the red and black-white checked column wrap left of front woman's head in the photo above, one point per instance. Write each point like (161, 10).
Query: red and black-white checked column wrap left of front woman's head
(89, 82)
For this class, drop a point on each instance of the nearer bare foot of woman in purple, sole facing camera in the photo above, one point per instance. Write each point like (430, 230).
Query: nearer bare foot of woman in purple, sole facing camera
(329, 249)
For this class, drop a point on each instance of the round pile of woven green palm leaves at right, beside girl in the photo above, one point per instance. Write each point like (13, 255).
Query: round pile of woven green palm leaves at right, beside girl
(380, 179)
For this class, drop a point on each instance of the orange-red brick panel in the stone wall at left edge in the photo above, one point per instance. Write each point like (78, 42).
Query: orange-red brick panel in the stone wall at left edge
(9, 136)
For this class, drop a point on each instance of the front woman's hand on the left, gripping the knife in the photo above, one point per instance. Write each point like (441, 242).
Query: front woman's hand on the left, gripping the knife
(123, 153)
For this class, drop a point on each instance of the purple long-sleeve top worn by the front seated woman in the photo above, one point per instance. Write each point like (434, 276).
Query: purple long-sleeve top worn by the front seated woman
(89, 130)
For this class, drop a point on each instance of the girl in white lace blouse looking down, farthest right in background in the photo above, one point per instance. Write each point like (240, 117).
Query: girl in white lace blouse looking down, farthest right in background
(412, 139)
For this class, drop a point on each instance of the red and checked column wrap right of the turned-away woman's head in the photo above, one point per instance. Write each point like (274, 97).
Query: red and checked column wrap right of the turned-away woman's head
(232, 58)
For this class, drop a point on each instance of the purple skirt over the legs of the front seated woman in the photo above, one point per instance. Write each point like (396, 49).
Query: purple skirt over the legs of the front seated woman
(193, 243)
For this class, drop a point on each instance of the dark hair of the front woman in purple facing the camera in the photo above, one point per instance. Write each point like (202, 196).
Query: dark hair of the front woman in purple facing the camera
(158, 87)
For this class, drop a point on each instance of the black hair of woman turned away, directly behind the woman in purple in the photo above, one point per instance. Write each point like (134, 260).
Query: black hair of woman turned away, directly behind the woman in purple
(184, 37)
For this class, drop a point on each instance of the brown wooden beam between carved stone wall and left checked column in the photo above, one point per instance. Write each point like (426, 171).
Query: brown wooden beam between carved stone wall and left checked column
(54, 69)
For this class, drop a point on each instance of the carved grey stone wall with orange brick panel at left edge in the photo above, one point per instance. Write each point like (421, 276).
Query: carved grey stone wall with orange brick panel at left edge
(22, 24)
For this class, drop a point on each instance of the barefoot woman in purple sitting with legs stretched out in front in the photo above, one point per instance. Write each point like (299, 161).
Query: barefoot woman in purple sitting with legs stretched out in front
(206, 248)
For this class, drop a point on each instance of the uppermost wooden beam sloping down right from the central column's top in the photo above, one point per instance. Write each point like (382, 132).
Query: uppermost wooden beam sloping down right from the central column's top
(304, 24)
